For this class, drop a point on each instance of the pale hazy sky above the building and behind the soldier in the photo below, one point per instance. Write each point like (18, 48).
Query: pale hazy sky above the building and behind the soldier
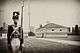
(62, 12)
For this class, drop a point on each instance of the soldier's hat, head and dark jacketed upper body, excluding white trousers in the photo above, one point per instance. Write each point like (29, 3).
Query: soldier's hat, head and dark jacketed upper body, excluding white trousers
(15, 31)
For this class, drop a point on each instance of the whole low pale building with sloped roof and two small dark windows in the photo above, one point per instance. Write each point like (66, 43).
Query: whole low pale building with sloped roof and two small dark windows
(52, 30)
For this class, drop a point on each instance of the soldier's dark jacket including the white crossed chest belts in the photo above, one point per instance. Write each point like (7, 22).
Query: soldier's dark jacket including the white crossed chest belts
(14, 33)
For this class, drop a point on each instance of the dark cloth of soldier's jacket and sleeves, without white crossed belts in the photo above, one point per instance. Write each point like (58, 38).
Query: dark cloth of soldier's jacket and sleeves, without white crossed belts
(10, 36)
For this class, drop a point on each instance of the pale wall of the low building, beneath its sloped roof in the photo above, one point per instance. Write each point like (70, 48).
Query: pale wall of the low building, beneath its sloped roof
(49, 33)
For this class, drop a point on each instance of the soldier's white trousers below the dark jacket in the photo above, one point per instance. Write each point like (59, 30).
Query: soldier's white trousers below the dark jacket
(15, 43)
